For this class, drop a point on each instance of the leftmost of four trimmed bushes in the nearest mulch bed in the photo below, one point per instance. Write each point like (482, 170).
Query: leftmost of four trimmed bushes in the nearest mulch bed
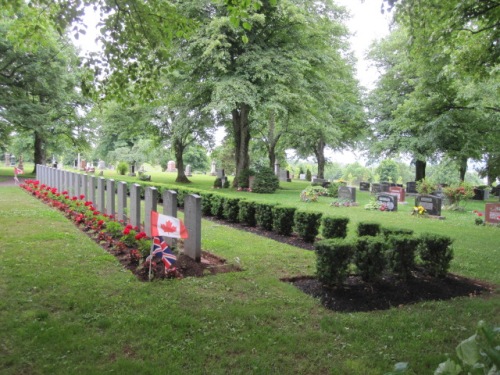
(332, 261)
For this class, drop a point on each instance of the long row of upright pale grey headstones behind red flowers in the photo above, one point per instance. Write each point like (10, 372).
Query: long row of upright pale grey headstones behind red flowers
(110, 197)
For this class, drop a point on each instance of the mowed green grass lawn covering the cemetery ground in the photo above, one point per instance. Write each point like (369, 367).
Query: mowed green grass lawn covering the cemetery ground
(66, 306)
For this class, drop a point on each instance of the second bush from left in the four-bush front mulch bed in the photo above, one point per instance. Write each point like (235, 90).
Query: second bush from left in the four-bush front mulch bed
(369, 257)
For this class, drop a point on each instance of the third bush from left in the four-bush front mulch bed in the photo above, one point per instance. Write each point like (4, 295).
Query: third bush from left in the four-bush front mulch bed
(401, 254)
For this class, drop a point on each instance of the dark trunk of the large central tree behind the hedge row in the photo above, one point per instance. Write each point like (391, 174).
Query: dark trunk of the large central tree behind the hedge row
(241, 133)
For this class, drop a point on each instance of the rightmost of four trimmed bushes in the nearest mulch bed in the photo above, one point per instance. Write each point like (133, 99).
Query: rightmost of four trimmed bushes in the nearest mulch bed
(436, 253)
